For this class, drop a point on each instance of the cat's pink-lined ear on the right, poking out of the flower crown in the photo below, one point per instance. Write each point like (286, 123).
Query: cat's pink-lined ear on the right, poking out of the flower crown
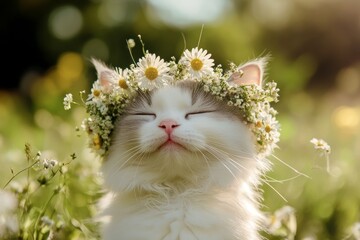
(249, 73)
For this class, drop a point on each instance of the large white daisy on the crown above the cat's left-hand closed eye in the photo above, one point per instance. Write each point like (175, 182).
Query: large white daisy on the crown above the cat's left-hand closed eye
(152, 72)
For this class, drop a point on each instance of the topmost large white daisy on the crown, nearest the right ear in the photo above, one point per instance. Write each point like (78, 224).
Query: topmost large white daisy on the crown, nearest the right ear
(198, 61)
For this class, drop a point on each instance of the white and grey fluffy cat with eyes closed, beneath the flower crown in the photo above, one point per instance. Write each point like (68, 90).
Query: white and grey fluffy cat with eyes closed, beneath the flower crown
(182, 165)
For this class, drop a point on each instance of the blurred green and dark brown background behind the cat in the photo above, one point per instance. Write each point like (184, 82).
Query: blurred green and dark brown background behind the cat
(315, 59)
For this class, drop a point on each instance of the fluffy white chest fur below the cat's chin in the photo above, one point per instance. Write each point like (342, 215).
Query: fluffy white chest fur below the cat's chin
(215, 214)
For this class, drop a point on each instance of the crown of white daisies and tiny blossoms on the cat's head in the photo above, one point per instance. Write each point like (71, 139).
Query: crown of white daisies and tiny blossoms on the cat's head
(241, 86)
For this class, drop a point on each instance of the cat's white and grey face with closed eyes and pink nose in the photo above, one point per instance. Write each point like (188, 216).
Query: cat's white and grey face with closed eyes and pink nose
(178, 131)
